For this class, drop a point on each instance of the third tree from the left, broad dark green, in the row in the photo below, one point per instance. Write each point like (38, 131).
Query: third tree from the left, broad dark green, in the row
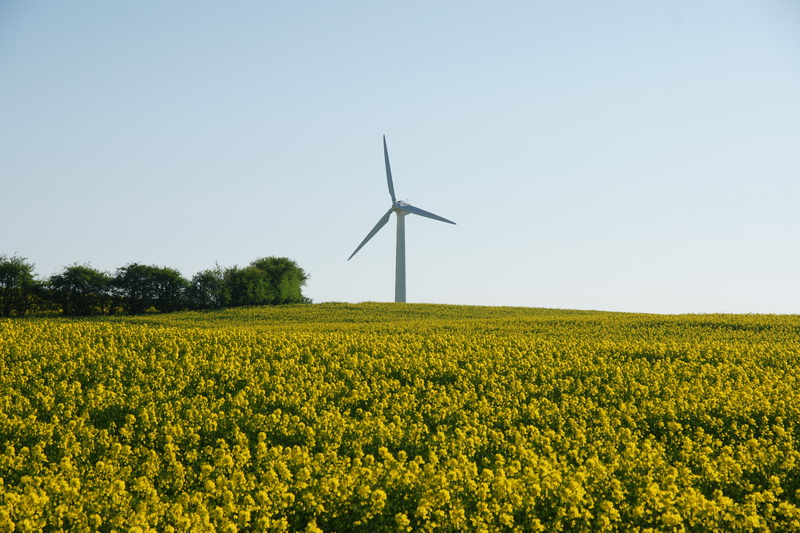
(142, 287)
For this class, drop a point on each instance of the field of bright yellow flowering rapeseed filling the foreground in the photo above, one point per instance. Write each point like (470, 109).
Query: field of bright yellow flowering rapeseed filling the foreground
(387, 417)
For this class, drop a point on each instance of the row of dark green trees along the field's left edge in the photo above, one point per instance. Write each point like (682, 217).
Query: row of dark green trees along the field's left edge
(80, 290)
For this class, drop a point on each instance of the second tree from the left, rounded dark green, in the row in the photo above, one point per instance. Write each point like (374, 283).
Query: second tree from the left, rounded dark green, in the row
(81, 290)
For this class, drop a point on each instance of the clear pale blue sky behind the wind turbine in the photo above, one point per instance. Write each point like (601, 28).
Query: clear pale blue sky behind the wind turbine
(626, 156)
